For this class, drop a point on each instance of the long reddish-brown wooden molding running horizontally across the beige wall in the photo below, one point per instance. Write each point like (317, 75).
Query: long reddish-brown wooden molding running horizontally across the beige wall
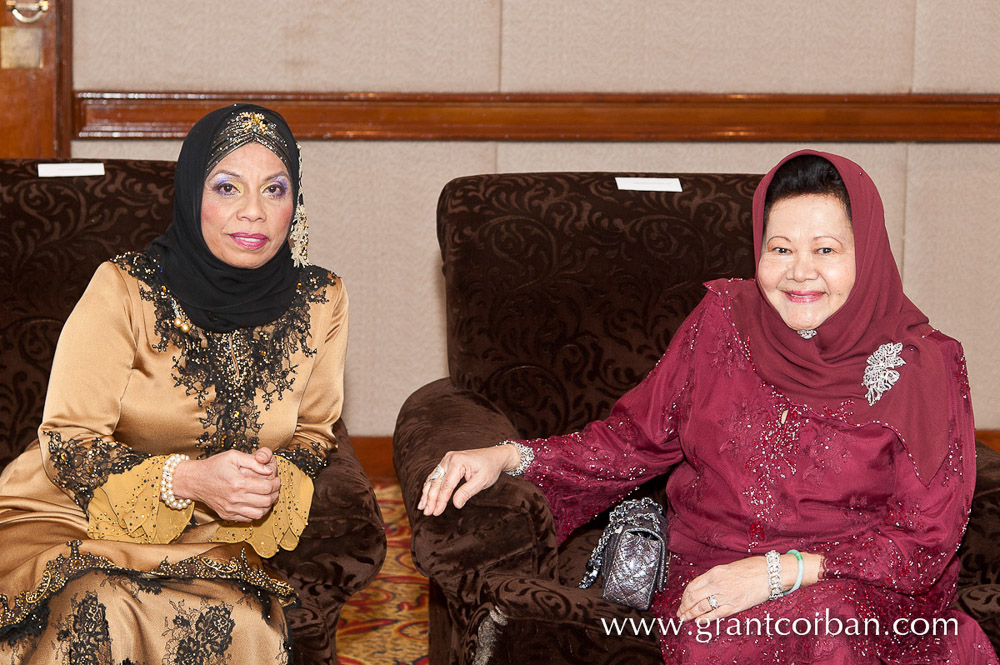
(559, 117)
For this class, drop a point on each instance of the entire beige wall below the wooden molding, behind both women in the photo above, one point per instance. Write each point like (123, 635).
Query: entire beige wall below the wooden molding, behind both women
(372, 207)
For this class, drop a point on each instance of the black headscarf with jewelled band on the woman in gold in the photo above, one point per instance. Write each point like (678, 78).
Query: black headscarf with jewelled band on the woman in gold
(215, 295)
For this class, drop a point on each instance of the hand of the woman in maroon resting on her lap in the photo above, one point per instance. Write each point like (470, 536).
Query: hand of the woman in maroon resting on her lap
(736, 586)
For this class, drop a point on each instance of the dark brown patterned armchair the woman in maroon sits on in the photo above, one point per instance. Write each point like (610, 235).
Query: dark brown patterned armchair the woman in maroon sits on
(562, 292)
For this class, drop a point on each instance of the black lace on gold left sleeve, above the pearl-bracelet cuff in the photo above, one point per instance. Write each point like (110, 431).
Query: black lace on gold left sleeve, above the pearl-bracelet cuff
(83, 466)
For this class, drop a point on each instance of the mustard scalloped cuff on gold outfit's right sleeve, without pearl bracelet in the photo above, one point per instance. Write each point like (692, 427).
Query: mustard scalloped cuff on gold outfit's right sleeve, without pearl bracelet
(284, 524)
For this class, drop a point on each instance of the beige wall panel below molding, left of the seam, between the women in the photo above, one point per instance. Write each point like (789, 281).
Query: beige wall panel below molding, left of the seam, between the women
(372, 213)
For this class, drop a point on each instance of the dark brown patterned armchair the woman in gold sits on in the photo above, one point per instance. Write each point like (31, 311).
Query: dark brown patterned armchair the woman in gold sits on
(53, 234)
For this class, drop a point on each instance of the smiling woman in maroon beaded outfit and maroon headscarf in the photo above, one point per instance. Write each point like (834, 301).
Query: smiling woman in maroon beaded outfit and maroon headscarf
(823, 437)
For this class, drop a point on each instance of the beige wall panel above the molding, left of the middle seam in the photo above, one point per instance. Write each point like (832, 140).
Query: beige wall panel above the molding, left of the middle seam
(335, 45)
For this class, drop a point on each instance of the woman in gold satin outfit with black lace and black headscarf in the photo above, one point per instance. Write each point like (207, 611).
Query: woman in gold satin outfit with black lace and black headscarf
(191, 402)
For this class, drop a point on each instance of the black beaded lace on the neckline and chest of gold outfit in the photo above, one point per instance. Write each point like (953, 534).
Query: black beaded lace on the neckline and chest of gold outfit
(226, 371)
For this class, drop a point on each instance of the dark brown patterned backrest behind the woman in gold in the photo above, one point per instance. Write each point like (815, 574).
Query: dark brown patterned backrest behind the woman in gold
(54, 232)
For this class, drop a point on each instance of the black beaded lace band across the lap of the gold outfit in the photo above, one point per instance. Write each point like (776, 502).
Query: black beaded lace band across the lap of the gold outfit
(26, 608)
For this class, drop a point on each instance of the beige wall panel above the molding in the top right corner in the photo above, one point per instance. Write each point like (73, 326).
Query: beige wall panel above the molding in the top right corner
(956, 47)
